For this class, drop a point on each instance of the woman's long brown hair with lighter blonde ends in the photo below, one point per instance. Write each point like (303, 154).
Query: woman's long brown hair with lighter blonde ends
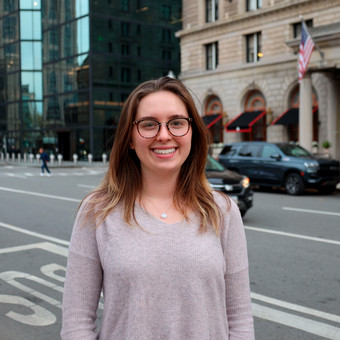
(123, 181)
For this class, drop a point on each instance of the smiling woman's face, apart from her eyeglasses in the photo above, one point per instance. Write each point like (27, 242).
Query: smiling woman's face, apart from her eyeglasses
(163, 154)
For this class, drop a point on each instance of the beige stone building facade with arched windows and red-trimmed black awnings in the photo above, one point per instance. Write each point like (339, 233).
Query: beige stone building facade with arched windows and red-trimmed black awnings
(240, 58)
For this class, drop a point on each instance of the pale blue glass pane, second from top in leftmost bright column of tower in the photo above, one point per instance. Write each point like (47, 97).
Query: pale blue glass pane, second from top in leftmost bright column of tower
(30, 22)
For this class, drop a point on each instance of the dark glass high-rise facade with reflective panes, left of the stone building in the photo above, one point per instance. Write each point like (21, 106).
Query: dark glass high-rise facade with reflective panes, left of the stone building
(67, 66)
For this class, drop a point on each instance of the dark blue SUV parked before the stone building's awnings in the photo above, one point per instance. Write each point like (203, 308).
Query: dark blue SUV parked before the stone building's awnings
(281, 165)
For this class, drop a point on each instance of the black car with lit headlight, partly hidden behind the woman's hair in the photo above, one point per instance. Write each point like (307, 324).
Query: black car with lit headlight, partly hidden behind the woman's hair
(235, 185)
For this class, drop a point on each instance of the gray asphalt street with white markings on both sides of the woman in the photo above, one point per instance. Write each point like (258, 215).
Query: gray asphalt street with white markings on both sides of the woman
(293, 243)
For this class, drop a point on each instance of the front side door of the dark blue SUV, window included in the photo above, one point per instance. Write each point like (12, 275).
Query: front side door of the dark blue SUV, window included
(270, 167)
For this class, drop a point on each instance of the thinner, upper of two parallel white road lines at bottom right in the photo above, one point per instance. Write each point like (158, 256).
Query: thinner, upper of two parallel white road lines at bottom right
(297, 308)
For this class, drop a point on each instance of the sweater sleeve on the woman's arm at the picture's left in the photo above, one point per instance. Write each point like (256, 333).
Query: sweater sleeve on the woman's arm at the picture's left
(83, 283)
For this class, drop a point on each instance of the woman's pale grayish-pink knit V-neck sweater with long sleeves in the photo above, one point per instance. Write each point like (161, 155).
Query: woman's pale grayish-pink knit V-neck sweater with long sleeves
(166, 282)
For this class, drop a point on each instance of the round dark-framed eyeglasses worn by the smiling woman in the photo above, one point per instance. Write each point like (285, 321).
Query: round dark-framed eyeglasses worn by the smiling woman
(149, 128)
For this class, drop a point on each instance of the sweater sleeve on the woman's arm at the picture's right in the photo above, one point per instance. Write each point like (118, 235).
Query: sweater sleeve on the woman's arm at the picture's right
(238, 302)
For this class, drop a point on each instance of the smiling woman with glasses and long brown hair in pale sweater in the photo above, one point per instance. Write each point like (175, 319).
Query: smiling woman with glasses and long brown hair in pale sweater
(168, 254)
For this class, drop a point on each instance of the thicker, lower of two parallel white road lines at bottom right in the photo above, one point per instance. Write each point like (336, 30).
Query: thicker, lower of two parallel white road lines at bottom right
(295, 321)
